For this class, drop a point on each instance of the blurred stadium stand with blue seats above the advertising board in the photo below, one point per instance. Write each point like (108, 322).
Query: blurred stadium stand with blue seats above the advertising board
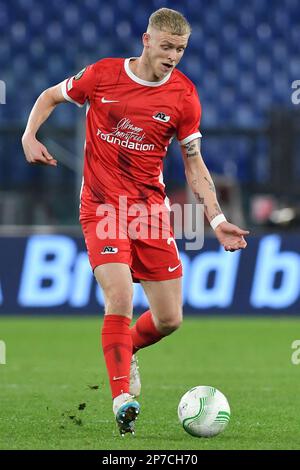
(243, 56)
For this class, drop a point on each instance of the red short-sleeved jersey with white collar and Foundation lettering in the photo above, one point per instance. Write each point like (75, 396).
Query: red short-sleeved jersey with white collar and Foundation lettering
(129, 125)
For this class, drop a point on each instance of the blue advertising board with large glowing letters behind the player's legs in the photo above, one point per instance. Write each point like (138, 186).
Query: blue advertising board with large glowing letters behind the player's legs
(50, 274)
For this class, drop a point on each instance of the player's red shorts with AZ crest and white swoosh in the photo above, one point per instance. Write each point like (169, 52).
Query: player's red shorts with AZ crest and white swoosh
(152, 258)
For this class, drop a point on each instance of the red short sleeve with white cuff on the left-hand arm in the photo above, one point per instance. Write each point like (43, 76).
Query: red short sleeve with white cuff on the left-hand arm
(79, 88)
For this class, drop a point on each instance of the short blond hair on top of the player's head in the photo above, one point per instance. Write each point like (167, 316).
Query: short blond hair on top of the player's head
(170, 21)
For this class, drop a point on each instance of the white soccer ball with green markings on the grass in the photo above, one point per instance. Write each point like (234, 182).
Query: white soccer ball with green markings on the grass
(204, 411)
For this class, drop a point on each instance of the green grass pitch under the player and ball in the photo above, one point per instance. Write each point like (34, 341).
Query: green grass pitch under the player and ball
(48, 398)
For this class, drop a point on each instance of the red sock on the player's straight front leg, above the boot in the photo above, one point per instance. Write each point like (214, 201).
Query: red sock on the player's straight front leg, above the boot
(117, 349)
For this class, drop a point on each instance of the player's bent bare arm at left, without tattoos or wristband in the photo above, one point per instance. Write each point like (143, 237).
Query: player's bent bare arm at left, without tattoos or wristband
(35, 151)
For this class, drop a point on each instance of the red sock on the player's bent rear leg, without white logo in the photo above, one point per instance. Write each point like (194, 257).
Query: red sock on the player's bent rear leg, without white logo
(144, 332)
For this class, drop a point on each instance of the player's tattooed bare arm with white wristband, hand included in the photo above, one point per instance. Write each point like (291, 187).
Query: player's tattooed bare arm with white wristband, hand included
(198, 177)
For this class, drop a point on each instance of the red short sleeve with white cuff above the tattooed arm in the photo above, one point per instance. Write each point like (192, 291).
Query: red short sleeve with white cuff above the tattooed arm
(190, 115)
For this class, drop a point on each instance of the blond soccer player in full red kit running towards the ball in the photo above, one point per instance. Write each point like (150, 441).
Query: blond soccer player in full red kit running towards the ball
(135, 106)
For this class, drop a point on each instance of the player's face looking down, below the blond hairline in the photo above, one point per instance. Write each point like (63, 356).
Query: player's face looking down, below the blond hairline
(164, 51)
